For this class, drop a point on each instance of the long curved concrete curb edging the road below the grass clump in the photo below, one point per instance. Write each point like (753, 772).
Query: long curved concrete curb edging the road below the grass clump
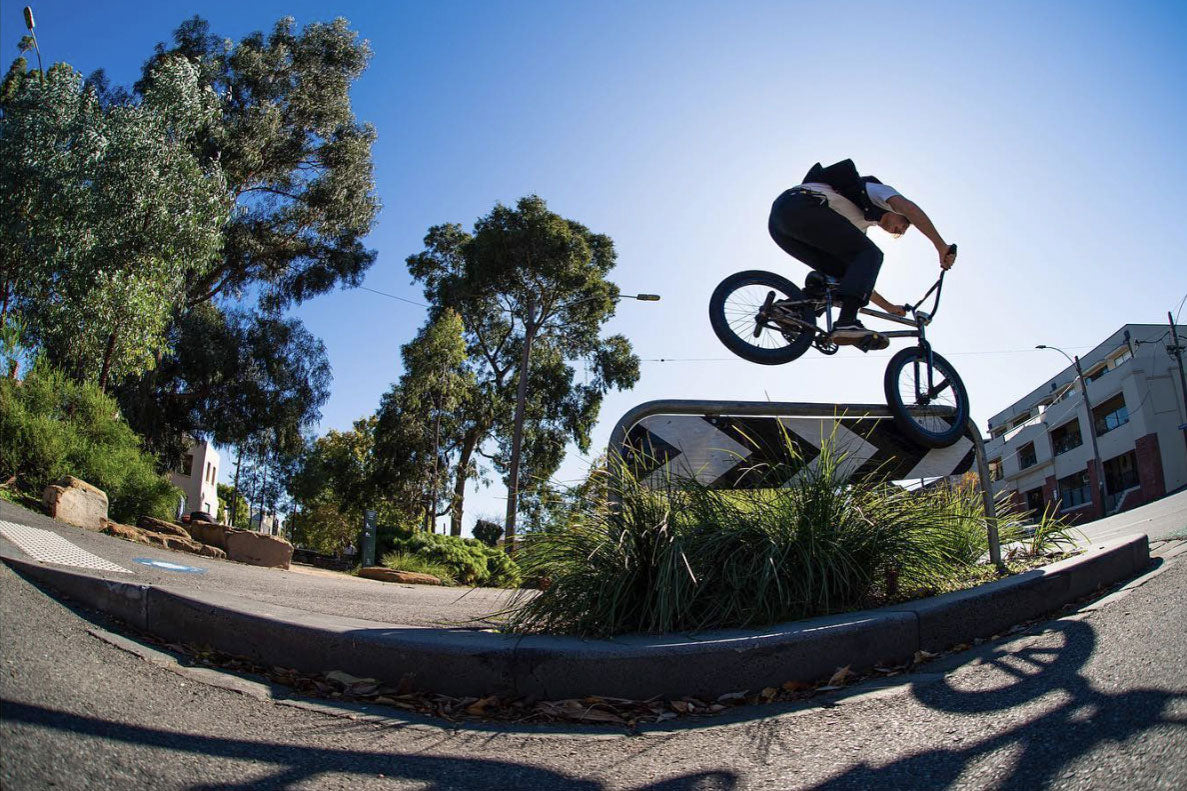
(469, 663)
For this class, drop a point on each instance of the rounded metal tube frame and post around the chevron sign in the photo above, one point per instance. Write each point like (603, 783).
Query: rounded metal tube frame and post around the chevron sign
(719, 412)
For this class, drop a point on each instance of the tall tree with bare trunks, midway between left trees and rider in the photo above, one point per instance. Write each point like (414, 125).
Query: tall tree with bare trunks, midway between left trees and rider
(532, 290)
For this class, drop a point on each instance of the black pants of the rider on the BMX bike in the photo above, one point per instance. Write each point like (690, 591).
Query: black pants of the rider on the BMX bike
(811, 232)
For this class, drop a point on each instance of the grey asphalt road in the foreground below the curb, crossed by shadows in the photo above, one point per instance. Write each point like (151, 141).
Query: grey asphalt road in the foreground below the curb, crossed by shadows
(1097, 700)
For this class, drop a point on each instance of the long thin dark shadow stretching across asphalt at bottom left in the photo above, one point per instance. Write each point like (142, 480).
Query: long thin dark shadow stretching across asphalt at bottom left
(297, 764)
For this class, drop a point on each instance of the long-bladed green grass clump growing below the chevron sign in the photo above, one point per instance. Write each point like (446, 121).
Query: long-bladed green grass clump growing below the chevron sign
(677, 556)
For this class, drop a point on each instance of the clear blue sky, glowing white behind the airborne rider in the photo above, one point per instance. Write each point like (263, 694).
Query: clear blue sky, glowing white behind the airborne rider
(1046, 138)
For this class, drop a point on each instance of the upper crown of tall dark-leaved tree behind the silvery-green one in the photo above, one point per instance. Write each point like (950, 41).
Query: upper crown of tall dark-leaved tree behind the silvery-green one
(297, 163)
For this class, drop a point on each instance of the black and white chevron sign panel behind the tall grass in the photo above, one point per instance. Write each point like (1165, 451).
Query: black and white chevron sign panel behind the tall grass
(747, 452)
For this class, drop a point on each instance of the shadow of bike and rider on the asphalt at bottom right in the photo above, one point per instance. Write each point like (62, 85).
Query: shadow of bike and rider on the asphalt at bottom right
(1045, 745)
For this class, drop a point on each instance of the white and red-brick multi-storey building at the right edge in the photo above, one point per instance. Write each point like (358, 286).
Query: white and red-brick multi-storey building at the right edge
(1040, 450)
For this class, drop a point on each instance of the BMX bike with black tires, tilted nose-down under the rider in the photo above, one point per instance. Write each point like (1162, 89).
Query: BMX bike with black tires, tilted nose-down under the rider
(766, 319)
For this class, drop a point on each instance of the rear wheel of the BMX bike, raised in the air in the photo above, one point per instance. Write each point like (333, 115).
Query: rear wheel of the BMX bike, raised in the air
(734, 312)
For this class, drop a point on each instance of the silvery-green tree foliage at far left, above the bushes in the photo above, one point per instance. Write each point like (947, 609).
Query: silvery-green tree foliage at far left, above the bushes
(107, 214)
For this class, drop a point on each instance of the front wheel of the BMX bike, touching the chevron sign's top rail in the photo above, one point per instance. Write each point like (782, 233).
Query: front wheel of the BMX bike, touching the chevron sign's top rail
(931, 432)
